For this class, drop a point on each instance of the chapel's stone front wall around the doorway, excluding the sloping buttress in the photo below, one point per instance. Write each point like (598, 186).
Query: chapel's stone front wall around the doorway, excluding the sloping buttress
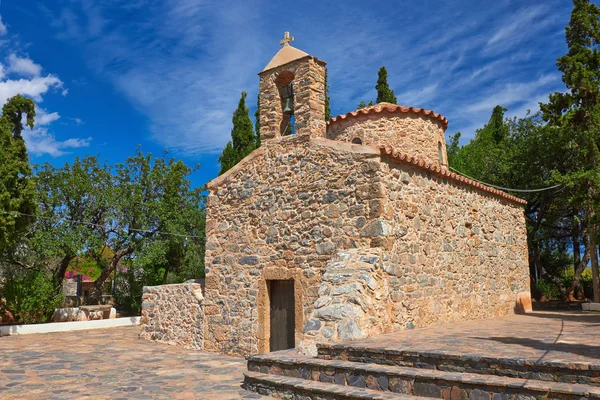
(281, 214)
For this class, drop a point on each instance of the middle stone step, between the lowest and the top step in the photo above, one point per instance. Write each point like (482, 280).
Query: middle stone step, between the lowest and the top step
(414, 381)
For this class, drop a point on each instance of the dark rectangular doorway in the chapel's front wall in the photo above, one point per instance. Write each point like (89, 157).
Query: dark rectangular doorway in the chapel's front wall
(281, 295)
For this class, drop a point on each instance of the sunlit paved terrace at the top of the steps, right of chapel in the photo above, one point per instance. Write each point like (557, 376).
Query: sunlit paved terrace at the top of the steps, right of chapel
(565, 337)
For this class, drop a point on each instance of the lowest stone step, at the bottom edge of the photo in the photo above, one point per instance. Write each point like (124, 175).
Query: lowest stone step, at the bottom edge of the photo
(301, 389)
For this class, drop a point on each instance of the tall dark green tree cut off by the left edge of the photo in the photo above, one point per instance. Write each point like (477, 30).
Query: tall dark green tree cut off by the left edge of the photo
(17, 190)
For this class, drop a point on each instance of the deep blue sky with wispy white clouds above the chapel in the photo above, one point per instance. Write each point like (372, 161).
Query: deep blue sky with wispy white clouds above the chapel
(167, 74)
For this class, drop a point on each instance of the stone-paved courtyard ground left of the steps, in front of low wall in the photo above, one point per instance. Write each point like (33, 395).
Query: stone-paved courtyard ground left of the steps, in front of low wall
(113, 364)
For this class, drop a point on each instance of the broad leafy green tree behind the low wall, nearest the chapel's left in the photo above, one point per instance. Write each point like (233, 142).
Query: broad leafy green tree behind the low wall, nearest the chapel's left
(155, 214)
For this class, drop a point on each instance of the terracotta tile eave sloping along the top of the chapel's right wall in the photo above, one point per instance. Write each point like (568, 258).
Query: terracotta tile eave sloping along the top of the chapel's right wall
(389, 152)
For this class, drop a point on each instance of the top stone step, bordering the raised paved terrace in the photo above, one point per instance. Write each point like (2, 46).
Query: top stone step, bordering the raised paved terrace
(538, 369)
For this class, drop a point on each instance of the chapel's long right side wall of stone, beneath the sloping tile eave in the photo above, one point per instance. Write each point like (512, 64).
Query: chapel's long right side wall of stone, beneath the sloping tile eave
(458, 253)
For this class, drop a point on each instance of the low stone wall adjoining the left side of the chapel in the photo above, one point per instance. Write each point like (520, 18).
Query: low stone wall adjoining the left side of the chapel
(174, 314)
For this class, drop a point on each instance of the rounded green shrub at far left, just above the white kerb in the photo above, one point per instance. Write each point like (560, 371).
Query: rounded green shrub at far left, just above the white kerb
(31, 296)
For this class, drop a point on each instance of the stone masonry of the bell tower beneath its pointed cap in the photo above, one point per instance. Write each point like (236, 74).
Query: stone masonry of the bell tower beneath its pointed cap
(308, 75)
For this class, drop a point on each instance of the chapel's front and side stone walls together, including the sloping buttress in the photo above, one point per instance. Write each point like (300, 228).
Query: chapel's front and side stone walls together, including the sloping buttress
(373, 245)
